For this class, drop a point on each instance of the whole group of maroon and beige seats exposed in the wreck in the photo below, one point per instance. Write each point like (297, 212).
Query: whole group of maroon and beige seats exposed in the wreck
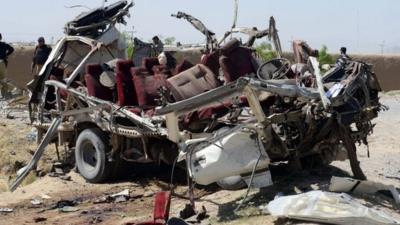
(139, 86)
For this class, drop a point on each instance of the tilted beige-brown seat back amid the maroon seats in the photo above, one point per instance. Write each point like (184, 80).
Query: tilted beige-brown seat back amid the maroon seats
(194, 81)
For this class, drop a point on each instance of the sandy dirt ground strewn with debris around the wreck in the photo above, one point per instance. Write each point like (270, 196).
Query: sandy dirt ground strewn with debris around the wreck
(16, 145)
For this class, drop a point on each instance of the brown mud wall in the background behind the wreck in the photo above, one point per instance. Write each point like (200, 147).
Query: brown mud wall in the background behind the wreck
(387, 67)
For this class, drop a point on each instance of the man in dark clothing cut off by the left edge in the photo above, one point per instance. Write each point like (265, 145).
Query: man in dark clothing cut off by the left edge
(5, 51)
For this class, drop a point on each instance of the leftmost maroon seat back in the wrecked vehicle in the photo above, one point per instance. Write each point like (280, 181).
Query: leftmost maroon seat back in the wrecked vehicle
(92, 76)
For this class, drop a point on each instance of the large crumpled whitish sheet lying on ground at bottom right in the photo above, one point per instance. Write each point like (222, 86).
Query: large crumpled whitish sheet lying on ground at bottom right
(327, 207)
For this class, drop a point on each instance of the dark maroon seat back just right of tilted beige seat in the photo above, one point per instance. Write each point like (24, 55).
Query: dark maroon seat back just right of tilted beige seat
(236, 61)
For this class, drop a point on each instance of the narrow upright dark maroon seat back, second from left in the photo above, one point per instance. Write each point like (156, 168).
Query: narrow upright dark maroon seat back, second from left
(125, 87)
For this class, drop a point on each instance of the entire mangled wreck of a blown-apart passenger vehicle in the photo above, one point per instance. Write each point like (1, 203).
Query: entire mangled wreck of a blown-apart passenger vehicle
(228, 116)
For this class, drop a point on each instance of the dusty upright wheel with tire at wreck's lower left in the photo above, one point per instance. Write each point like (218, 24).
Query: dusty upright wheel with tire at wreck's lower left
(91, 155)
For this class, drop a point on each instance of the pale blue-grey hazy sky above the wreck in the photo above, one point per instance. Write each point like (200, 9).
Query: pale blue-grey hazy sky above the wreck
(363, 26)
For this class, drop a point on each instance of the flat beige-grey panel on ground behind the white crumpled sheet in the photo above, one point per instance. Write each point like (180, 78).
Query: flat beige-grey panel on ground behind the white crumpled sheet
(346, 184)
